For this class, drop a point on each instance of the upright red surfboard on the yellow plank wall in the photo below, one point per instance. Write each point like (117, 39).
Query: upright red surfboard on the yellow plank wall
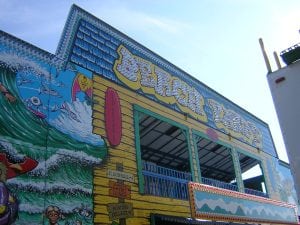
(113, 117)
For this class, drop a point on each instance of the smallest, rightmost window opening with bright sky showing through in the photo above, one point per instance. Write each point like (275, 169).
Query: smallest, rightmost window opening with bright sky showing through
(252, 175)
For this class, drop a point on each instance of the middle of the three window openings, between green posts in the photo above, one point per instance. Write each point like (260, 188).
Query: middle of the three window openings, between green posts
(216, 164)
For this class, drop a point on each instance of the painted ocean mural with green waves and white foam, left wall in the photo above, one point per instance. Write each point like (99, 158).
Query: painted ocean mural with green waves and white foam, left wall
(59, 140)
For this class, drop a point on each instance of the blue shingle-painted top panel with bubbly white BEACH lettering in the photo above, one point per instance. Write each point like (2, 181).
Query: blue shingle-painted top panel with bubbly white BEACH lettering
(92, 44)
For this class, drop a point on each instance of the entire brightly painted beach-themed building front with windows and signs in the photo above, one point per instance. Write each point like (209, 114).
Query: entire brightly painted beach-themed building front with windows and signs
(107, 132)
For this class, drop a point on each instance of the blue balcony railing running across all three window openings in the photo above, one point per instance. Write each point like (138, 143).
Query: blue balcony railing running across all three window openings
(165, 182)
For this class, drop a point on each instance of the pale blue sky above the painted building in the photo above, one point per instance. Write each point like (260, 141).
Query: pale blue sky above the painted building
(215, 41)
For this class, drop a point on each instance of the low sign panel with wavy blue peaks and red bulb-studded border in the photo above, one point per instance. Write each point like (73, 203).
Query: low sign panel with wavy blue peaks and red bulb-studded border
(211, 202)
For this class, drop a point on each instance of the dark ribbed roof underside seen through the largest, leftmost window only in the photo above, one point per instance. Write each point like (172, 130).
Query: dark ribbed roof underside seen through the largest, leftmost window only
(163, 143)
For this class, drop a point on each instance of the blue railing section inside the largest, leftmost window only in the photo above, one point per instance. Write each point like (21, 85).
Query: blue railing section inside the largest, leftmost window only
(161, 181)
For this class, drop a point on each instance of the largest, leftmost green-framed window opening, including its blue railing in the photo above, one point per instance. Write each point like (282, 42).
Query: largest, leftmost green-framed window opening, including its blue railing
(164, 157)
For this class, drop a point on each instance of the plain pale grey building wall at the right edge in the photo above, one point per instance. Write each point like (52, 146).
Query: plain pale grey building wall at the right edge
(284, 87)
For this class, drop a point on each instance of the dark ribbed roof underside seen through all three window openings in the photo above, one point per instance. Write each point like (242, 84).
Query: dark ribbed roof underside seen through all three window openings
(166, 145)
